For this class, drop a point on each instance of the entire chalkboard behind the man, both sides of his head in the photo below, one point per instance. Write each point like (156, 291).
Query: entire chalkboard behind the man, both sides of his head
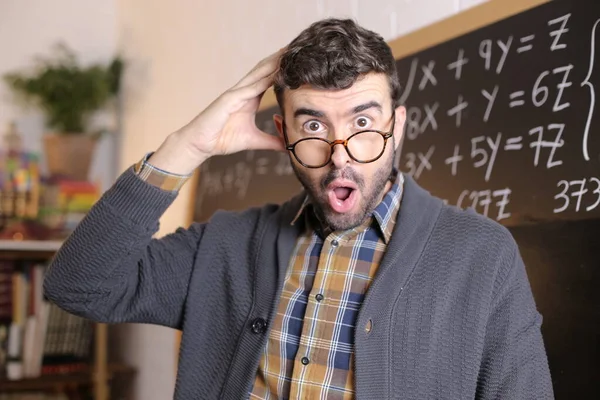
(503, 119)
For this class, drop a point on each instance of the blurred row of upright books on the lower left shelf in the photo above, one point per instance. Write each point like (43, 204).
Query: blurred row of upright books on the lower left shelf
(37, 337)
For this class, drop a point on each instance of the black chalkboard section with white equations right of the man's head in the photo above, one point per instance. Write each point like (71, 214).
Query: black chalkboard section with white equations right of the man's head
(503, 119)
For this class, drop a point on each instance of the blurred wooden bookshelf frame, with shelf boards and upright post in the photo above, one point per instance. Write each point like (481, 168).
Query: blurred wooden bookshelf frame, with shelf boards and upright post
(98, 375)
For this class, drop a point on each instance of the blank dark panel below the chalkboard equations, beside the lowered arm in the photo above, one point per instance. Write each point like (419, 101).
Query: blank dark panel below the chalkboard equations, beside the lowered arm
(563, 266)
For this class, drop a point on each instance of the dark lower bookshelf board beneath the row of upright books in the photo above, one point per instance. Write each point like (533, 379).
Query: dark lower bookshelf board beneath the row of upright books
(58, 381)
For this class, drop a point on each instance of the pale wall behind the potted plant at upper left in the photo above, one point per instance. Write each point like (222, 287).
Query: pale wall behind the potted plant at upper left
(29, 28)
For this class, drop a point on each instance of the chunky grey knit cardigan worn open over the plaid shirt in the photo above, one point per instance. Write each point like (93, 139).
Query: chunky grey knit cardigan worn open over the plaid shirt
(452, 312)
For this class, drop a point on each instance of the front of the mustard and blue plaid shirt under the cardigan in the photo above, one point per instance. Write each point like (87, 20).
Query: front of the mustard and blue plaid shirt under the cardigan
(310, 349)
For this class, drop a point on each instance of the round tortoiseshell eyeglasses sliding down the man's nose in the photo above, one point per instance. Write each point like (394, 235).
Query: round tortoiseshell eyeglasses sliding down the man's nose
(363, 147)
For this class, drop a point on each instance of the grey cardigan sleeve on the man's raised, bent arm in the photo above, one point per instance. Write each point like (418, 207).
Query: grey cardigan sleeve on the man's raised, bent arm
(112, 269)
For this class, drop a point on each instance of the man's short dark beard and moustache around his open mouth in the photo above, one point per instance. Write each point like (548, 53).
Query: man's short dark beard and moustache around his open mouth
(371, 194)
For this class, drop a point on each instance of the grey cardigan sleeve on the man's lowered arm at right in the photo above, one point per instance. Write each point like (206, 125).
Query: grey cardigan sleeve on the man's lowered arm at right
(514, 363)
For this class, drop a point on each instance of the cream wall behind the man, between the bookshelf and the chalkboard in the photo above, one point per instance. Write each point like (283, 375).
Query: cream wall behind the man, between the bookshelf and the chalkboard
(184, 53)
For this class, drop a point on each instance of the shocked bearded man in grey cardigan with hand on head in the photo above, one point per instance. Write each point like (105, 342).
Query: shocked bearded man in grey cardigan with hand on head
(365, 286)
